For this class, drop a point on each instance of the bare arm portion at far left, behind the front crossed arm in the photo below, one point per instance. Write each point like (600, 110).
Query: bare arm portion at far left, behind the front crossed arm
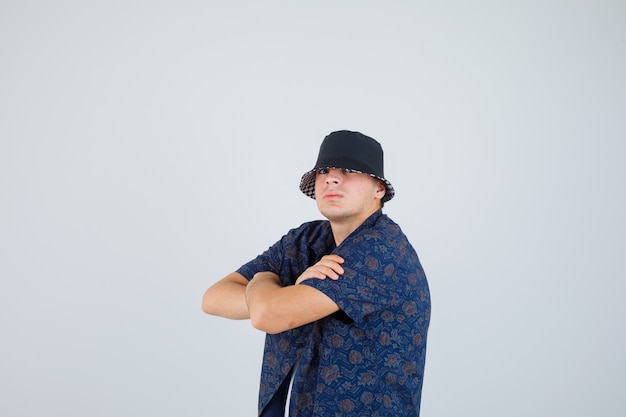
(227, 298)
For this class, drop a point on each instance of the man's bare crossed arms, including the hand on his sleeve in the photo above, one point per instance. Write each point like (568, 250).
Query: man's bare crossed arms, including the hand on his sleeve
(271, 307)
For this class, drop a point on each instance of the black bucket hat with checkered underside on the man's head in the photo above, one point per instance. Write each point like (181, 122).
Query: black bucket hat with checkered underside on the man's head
(352, 152)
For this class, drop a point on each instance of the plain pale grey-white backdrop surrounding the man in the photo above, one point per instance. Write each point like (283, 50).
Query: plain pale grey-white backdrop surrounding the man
(148, 148)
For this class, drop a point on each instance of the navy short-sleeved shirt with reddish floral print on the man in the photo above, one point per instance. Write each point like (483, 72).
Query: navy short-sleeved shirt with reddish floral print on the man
(368, 358)
